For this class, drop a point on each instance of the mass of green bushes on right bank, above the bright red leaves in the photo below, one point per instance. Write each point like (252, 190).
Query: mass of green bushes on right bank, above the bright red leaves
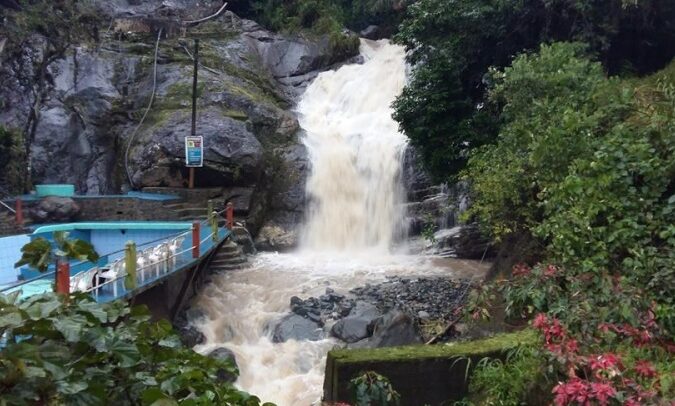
(586, 164)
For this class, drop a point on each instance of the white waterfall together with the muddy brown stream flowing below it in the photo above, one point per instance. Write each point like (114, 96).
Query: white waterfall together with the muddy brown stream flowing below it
(355, 152)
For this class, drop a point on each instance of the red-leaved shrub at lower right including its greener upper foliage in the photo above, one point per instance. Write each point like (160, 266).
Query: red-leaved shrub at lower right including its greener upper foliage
(601, 340)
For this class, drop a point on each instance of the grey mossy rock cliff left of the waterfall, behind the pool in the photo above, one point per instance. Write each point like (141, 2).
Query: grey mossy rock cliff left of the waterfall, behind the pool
(96, 95)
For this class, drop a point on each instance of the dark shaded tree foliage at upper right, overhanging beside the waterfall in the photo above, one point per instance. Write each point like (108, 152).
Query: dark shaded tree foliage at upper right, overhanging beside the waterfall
(444, 109)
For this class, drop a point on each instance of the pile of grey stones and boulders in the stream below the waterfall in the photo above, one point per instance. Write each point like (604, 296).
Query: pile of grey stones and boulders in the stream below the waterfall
(396, 312)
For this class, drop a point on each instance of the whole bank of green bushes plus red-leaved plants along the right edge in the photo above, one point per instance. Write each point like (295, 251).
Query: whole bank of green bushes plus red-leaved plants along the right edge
(585, 164)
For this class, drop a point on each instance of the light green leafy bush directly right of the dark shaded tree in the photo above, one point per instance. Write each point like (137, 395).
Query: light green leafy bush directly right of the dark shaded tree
(551, 114)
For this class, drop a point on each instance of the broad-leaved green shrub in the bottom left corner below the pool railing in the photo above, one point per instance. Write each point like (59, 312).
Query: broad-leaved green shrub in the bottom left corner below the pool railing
(79, 352)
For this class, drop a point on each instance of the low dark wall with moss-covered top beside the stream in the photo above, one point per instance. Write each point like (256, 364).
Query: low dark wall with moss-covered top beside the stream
(422, 374)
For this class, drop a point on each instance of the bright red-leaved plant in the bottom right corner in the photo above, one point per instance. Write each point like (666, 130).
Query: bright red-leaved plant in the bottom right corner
(590, 377)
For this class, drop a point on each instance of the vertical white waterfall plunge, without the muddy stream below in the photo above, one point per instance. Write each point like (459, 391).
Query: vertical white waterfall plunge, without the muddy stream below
(356, 152)
